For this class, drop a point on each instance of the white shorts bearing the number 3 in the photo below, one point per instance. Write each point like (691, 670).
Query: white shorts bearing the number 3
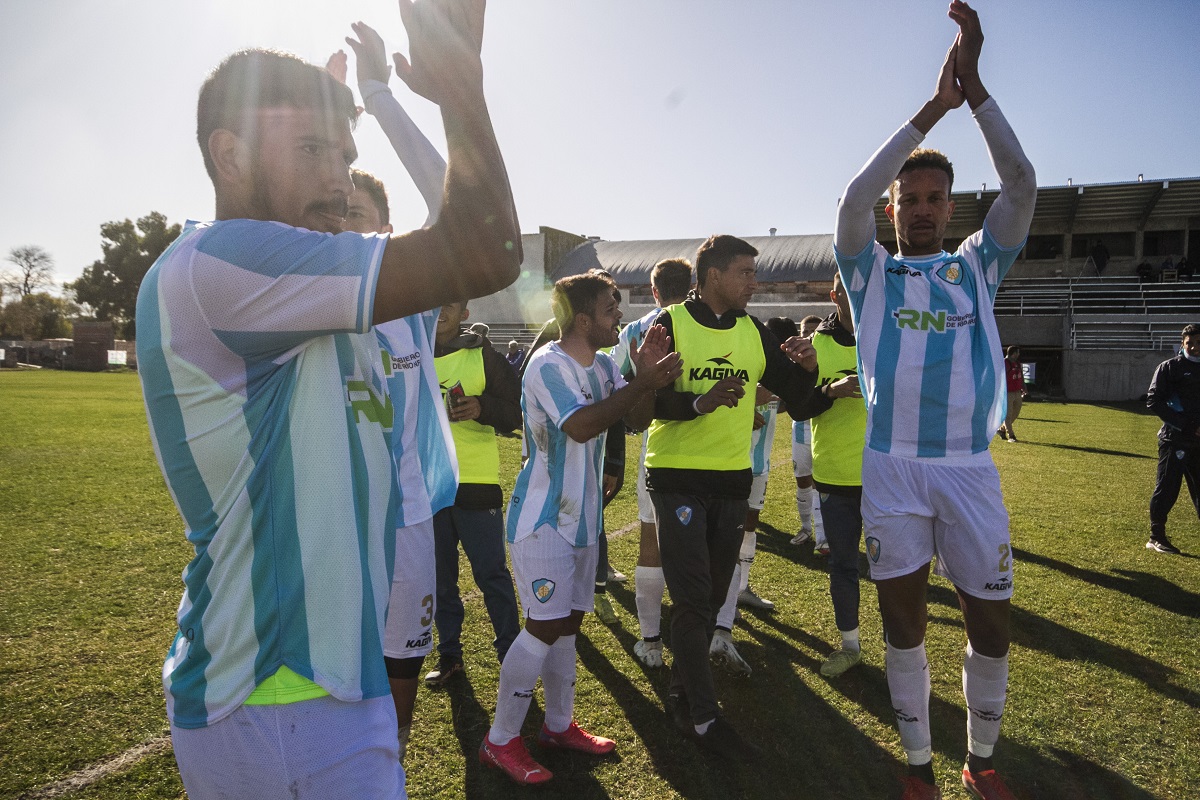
(409, 633)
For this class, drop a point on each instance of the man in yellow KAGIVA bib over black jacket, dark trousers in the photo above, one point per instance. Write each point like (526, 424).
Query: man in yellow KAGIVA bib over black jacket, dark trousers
(698, 465)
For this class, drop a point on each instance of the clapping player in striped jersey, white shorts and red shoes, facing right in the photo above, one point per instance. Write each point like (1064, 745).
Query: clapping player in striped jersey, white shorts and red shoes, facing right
(572, 395)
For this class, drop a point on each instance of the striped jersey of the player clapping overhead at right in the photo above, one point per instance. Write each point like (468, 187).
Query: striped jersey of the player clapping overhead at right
(929, 353)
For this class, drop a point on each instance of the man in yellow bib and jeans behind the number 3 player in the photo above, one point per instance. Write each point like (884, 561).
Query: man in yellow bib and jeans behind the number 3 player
(483, 398)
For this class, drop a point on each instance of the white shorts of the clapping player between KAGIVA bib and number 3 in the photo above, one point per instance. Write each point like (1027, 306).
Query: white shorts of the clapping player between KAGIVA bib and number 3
(554, 579)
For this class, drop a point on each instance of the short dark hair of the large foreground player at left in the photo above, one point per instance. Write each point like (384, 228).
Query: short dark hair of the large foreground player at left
(253, 80)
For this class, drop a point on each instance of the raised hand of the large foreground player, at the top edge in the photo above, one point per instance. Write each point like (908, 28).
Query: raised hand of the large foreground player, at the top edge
(445, 39)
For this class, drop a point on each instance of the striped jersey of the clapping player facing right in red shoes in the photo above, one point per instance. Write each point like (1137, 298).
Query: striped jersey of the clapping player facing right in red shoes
(560, 485)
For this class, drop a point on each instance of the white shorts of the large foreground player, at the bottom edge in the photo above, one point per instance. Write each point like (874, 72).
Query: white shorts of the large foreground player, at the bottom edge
(314, 749)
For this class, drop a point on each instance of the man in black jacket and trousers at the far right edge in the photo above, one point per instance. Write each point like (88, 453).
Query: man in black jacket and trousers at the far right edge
(1175, 398)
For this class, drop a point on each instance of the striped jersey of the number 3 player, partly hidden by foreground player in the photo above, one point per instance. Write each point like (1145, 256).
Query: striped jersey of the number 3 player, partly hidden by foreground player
(428, 470)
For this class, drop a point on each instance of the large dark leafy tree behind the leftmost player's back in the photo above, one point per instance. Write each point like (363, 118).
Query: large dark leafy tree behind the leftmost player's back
(111, 286)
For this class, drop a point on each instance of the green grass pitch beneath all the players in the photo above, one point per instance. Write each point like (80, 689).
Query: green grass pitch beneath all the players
(1105, 696)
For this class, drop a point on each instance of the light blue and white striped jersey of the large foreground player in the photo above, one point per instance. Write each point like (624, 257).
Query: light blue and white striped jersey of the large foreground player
(267, 398)
